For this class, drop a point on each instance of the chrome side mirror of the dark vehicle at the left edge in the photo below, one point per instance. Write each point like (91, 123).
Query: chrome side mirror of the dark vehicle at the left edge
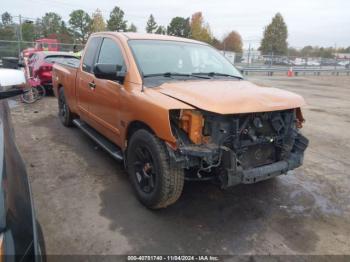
(11, 83)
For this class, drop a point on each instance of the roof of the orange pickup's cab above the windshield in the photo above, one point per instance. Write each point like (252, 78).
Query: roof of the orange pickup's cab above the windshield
(144, 36)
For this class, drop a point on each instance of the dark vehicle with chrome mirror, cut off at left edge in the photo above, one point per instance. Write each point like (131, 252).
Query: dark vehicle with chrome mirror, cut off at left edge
(20, 234)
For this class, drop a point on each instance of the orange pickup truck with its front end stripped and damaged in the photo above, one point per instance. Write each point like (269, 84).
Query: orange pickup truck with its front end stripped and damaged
(175, 109)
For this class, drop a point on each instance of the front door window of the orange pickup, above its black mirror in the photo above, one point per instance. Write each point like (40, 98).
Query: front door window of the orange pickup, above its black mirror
(110, 53)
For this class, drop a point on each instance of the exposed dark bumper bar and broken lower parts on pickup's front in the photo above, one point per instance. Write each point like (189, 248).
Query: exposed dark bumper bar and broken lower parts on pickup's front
(223, 164)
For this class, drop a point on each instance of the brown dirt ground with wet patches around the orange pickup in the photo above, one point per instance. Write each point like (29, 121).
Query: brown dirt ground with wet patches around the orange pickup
(86, 205)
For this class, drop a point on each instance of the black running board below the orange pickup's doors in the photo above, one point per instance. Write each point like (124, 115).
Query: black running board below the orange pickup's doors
(111, 148)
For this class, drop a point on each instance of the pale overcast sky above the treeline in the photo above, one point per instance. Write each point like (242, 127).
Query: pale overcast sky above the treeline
(310, 22)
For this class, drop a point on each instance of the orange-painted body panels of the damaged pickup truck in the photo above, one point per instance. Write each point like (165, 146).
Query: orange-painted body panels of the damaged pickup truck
(112, 107)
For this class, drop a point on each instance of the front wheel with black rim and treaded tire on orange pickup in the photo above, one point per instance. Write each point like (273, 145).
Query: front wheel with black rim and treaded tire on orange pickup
(156, 183)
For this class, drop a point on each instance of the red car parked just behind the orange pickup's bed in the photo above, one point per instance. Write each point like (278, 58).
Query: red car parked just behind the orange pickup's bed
(40, 65)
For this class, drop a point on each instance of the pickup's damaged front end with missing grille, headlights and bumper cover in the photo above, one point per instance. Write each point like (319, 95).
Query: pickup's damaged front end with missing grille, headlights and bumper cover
(234, 149)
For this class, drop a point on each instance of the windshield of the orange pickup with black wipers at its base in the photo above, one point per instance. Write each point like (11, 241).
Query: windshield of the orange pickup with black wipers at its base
(159, 57)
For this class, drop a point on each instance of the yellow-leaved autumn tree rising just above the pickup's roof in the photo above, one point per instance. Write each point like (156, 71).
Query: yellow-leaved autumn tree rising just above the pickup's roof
(200, 30)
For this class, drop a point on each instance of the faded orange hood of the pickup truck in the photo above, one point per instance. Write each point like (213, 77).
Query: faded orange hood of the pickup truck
(231, 97)
